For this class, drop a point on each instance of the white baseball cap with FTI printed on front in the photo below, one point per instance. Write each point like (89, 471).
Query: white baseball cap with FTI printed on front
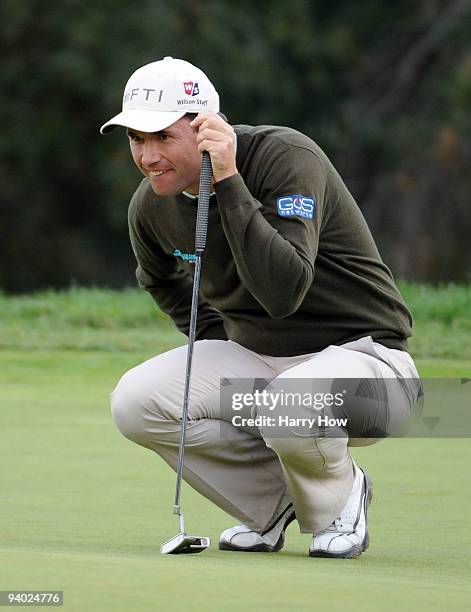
(158, 94)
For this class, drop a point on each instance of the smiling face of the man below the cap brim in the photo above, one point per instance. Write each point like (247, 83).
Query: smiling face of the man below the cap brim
(169, 159)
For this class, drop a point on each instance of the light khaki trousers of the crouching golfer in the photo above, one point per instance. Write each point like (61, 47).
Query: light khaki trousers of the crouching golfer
(244, 470)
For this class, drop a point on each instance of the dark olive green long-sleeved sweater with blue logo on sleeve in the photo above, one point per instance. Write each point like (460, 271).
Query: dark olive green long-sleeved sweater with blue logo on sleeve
(282, 275)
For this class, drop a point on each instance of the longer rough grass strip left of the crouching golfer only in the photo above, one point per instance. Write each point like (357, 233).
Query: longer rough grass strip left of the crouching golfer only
(85, 319)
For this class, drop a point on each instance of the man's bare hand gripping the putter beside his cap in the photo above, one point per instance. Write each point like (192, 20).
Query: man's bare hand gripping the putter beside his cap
(218, 138)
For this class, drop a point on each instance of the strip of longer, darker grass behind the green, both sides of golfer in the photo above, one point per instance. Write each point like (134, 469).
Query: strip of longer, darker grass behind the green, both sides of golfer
(105, 320)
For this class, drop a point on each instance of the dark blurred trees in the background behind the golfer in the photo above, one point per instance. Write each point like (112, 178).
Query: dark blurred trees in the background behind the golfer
(383, 87)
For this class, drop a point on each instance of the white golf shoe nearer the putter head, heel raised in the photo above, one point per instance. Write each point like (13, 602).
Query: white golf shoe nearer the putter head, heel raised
(242, 538)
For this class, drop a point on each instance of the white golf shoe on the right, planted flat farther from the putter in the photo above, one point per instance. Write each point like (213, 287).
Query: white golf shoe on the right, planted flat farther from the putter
(347, 536)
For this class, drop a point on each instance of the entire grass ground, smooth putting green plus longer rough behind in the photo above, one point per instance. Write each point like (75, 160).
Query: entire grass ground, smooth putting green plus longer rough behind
(84, 511)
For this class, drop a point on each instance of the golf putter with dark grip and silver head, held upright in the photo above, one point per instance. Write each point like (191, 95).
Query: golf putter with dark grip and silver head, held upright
(183, 543)
